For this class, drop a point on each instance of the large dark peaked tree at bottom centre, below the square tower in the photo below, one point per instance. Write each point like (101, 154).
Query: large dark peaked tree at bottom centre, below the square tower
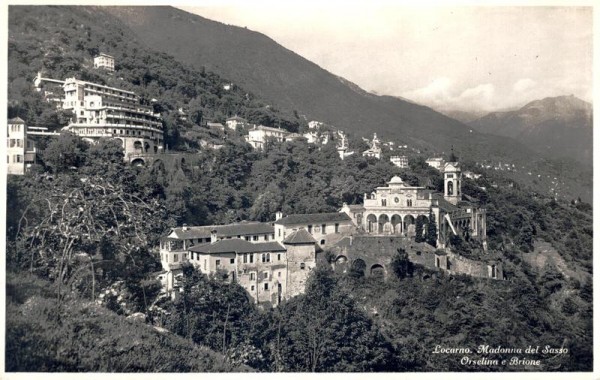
(324, 330)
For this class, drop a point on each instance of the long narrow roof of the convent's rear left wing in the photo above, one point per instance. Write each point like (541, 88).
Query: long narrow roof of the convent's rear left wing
(244, 228)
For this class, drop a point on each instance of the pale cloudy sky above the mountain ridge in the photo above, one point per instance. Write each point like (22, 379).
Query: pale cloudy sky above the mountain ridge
(450, 58)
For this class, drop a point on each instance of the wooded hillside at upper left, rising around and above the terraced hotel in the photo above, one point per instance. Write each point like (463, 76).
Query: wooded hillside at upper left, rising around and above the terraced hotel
(62, 41)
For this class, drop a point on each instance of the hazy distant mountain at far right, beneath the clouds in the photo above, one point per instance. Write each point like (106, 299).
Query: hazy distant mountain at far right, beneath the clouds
(557, 127)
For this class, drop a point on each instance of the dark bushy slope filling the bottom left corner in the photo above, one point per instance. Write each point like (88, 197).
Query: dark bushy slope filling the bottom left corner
(84, 337)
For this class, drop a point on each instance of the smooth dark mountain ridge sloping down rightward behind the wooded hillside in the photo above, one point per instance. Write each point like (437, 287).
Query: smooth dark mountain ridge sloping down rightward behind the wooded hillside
(288, 81)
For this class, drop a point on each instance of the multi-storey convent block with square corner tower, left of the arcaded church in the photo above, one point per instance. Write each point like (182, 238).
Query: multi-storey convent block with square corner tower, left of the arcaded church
(270, 269)
